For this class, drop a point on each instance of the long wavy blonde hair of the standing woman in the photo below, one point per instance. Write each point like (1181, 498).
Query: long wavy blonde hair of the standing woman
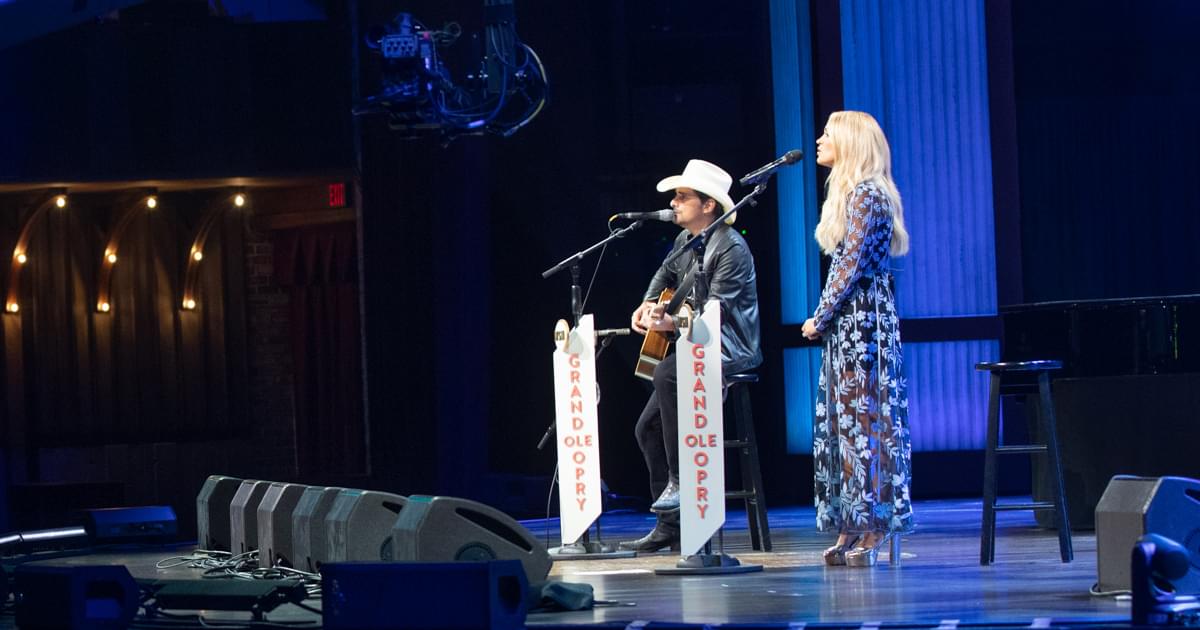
(862, 155)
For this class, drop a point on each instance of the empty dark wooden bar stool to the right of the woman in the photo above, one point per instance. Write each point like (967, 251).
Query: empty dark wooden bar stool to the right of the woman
(1049, 448)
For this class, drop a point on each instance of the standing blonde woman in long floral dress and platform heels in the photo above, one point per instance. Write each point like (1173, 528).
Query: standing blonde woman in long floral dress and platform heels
(861, 433)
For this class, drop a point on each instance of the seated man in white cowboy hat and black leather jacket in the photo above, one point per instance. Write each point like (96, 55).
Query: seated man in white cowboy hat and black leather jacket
(701, 196)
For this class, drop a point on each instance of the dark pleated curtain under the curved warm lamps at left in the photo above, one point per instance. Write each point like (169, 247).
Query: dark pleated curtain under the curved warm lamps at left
(146, 371)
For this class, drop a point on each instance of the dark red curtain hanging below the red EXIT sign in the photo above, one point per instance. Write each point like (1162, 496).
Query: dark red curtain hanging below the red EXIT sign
(320, 269)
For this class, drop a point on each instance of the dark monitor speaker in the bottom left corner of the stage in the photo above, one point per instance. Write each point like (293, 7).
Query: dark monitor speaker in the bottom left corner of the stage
(94, 597)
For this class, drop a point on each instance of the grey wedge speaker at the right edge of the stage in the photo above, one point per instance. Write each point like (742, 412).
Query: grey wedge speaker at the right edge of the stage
(1137, 506)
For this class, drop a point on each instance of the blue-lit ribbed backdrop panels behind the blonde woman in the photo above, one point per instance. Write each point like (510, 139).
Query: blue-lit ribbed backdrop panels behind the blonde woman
(921, 70)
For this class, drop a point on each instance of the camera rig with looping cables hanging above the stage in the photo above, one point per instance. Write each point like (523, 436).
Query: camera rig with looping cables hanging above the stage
(422, 98)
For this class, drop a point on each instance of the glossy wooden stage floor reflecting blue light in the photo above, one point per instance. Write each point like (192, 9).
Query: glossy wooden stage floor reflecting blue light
(938, 584)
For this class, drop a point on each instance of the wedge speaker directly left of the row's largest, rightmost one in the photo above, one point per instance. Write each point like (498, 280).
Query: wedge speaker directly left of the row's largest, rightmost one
(359, 526)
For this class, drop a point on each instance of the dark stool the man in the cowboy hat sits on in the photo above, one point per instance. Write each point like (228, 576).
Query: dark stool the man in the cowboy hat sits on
(737, 406)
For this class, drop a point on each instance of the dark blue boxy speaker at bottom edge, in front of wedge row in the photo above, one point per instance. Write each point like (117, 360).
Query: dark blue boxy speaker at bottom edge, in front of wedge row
(423, 596)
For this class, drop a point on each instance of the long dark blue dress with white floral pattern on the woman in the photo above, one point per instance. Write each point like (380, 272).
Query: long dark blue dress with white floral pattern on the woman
(862, 451)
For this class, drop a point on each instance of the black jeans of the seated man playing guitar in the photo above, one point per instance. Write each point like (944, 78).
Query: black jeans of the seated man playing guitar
(659, 440)
